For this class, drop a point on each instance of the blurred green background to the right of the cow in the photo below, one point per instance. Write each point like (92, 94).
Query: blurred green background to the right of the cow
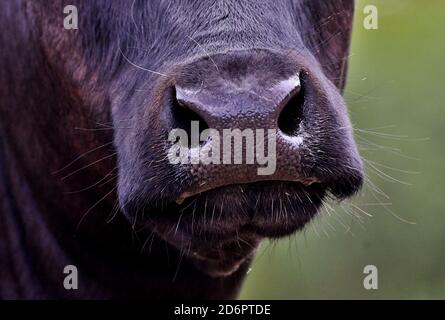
(396, 94)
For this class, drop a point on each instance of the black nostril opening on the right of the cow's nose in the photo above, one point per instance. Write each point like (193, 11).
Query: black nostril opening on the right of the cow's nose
(291, 116)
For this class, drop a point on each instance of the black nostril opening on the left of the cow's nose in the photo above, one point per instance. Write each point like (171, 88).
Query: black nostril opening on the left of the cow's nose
(183, 115)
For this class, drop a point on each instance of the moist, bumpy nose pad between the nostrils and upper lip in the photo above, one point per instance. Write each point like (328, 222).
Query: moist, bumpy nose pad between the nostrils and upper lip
(253, 125)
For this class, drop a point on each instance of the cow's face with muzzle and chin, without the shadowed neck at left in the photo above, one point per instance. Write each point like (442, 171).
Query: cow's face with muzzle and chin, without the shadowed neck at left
(202, 67)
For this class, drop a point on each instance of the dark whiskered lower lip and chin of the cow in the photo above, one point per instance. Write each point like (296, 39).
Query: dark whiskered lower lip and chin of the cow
(218, 241)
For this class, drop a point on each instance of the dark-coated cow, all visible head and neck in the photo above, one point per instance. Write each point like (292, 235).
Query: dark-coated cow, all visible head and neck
(114, 212)
